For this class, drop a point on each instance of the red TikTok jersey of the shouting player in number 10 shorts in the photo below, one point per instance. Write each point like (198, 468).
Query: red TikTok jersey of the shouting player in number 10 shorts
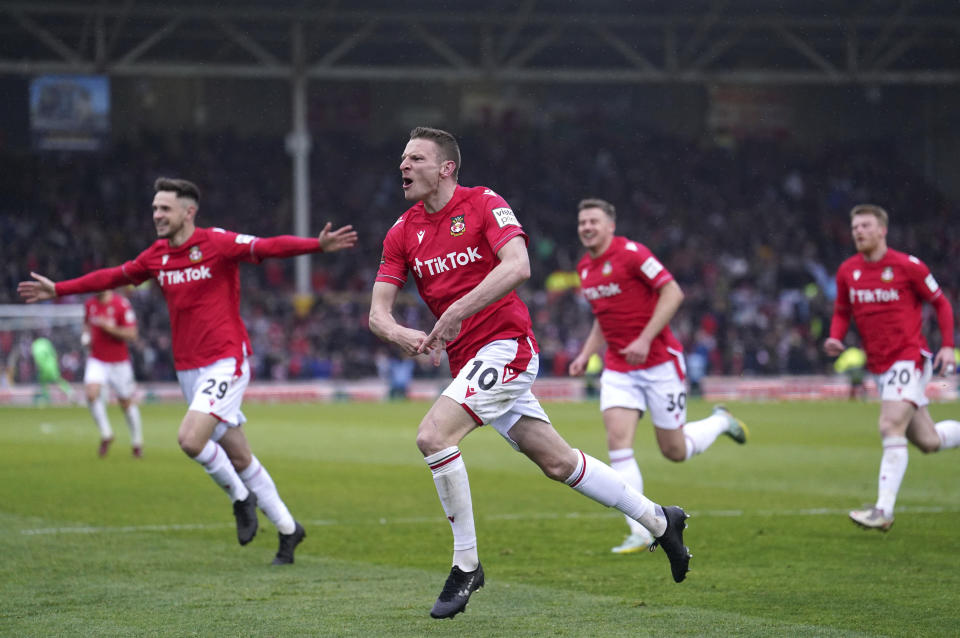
(450, 252)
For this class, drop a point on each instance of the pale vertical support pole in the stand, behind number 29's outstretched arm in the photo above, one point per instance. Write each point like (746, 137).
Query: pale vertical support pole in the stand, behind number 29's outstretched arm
(298, 145)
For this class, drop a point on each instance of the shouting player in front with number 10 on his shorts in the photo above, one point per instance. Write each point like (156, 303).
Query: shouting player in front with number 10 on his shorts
(468, 253)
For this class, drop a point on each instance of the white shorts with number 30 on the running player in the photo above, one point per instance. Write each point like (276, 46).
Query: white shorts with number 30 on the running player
(660, 390)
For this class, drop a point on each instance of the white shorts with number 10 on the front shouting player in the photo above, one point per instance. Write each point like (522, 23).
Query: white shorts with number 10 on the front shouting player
(494, 386)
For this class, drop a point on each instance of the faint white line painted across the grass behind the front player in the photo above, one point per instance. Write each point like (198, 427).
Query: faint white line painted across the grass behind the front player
(421, 520)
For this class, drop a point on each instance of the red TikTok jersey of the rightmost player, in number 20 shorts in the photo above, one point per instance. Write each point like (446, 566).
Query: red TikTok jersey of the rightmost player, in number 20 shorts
(884, 298)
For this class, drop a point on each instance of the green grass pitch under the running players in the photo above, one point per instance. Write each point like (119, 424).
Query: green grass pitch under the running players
(125, 547)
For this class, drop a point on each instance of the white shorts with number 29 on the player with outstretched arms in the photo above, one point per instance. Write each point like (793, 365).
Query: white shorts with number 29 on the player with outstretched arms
(215, 390)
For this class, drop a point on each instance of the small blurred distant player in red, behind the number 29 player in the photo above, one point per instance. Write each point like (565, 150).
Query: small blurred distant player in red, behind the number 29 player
(109, 324)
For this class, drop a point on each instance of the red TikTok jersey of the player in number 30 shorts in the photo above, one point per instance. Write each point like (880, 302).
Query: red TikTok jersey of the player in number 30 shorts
(621, 286)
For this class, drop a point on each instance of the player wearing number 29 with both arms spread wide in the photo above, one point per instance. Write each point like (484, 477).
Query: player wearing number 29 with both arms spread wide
(197, 270)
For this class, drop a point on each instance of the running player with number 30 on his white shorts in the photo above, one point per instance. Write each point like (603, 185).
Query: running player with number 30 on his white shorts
(633, 297)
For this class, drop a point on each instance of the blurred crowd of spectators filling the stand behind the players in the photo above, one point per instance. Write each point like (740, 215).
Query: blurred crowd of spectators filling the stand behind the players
(752, 231)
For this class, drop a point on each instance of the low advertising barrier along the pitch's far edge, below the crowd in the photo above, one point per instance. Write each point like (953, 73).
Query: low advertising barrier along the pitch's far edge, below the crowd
(786, 388)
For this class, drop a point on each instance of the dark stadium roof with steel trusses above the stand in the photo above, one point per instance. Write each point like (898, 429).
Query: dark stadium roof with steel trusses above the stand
(757, 41)
